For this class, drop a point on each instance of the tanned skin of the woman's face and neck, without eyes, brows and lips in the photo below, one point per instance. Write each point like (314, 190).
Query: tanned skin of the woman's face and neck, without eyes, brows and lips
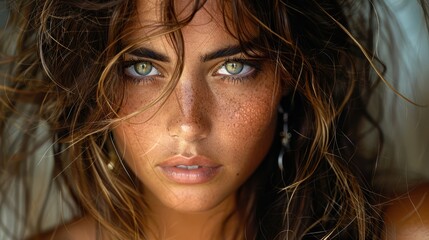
(229, 120)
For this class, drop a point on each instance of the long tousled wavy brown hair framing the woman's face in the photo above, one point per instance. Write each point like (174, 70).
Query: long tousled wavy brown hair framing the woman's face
(61, 72)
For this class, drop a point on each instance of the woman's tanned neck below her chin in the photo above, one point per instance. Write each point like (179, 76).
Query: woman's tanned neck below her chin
(222, 222)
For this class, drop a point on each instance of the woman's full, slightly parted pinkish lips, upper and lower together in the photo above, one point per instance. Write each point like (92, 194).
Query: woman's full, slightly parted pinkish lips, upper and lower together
(203, 169)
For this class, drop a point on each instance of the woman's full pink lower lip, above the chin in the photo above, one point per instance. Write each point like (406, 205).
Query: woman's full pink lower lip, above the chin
(190, 176)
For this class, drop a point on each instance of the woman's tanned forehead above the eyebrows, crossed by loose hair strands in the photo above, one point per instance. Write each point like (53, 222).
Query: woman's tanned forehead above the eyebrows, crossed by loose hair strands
(150, 21)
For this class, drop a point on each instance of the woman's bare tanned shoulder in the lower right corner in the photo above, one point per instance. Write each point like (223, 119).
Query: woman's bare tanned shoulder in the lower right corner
(407, 218)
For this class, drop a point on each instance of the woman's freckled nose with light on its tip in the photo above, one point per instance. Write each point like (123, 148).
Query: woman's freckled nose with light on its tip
(188, 115)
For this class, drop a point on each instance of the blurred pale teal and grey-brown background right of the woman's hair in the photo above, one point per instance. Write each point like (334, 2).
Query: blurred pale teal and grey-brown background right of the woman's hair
(405, 125)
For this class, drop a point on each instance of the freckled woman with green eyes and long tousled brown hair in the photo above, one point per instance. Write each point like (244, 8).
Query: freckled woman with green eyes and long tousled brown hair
(195, 119)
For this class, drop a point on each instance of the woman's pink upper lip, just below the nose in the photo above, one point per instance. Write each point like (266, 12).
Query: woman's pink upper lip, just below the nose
(197, 160)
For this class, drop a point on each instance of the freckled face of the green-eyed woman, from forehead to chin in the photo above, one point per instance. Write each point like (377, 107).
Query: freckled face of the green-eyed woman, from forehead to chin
(193, 150)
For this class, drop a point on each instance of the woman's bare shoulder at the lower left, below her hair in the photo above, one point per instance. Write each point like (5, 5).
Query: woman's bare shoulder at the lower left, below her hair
(81, 229)
